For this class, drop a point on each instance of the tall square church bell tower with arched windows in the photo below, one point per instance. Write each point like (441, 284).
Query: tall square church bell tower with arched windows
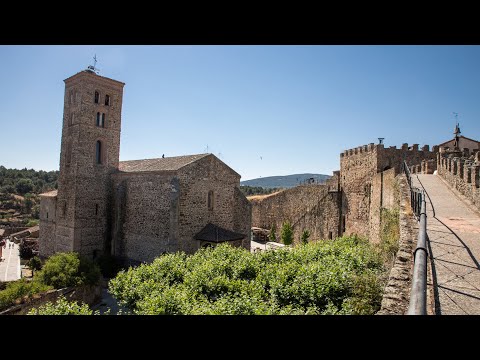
(89, 155)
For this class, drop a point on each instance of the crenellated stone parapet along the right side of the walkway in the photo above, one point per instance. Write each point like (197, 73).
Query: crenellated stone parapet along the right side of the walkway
(461, 173)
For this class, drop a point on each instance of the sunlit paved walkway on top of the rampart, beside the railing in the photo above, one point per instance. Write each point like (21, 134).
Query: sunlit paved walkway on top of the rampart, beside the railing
(453, 230)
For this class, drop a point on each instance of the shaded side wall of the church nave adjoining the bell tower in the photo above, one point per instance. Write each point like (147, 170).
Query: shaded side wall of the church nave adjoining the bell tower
(146, 218)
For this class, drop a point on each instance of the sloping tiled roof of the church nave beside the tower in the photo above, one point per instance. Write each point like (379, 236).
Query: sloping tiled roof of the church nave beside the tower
(167, 163)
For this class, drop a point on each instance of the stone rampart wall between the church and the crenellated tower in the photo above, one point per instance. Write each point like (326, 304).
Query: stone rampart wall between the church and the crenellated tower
(308, 207)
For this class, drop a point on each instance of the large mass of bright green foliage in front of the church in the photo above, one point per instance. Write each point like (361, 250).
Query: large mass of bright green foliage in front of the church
(328, 277)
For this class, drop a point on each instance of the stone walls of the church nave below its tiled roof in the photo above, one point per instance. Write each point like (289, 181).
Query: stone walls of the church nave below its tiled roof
(162, 211)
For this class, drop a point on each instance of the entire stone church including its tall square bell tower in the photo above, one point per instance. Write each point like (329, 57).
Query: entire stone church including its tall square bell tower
(139, 209)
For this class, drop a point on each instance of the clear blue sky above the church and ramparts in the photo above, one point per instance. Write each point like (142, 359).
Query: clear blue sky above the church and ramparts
(263, 110)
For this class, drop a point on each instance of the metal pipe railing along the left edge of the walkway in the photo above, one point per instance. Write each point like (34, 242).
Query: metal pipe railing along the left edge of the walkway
(418, 293)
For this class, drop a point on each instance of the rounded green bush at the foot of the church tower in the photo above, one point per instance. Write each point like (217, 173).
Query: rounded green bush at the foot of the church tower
(68, 269)
